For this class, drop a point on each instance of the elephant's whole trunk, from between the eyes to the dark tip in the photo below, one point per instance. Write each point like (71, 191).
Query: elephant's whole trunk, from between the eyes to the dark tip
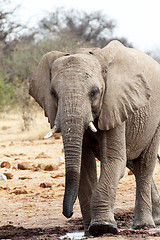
(72, 118)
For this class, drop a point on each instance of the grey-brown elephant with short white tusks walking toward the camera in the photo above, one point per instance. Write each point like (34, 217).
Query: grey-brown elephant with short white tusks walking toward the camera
(106, 104)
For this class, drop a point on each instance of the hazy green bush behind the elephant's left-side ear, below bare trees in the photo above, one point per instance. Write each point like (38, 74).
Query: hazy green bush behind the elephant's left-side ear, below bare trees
(18, 66)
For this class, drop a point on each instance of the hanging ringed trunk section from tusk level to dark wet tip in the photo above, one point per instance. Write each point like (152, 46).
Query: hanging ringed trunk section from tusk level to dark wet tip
(72, 134)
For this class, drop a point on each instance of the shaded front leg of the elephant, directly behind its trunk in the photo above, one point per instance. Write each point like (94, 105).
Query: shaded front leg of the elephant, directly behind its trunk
(88, 180)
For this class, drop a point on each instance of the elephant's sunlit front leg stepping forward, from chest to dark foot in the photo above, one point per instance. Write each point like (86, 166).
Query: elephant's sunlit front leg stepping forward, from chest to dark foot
(113, 163)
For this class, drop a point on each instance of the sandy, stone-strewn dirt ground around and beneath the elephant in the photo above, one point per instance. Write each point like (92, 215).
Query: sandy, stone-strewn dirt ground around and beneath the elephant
(31, 201)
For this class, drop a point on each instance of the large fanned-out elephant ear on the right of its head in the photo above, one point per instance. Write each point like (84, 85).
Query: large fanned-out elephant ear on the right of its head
(127, 88)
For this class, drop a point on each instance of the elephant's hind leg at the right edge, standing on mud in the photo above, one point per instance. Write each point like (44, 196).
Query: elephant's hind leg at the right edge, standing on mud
(143, 168)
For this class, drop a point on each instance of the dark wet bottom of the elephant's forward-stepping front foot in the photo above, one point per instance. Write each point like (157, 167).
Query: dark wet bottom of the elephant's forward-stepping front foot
(99, 228)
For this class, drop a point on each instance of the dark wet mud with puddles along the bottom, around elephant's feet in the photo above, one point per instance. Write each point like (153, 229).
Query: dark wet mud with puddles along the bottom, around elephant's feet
(75, 230)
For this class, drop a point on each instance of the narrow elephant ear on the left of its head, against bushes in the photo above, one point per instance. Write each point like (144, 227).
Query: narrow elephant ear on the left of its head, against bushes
(40, 84)
